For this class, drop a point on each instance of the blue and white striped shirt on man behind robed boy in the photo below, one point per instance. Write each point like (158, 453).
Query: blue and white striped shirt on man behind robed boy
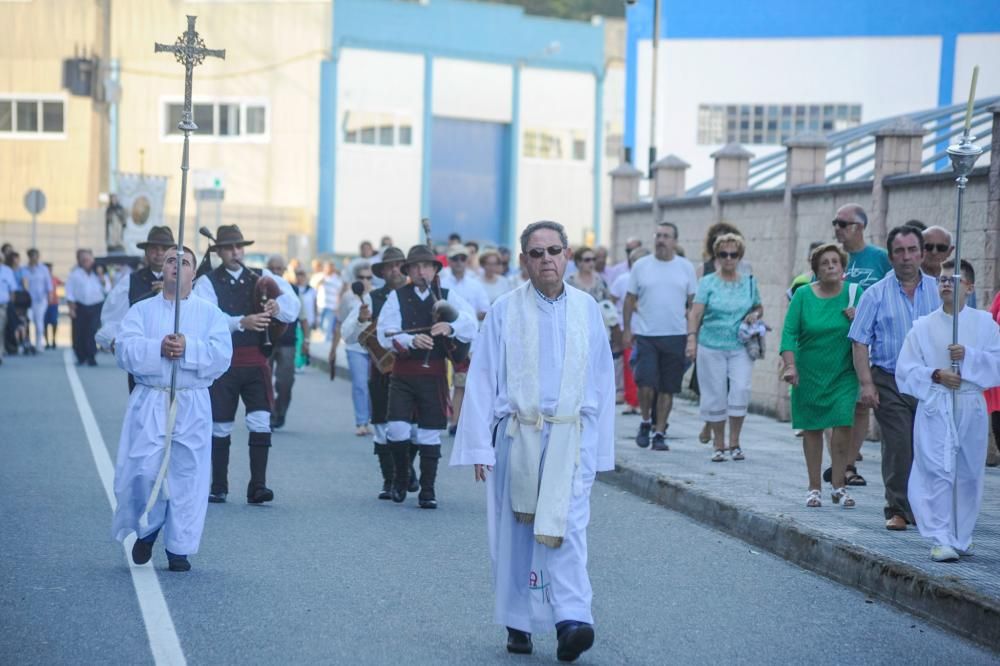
(886, 314)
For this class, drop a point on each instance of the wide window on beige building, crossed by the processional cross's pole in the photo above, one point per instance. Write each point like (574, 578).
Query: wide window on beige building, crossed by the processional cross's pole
(229, 120)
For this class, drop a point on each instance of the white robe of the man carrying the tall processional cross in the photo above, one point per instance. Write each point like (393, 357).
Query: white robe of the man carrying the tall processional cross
(180, 508)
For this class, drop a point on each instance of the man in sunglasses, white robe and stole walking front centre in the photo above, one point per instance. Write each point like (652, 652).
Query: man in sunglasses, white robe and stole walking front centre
(538, 424)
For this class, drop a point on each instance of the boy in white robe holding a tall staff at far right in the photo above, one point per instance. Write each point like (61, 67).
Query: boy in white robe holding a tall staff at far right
(949, 453)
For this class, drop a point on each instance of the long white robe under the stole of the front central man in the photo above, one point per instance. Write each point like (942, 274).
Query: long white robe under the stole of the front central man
(537, 586)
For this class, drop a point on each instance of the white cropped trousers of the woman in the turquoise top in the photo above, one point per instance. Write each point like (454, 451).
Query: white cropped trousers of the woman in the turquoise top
(724, 380)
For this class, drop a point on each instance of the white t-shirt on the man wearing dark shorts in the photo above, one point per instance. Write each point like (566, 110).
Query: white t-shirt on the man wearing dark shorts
(662, 289)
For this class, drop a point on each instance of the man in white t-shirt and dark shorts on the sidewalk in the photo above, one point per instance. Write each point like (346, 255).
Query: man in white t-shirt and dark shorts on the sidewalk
(660, 290)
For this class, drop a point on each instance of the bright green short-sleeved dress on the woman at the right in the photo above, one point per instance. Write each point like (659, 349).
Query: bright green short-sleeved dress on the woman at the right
(816, 332)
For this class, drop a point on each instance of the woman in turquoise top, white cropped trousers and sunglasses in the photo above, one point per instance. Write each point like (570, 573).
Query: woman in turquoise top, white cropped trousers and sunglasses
(725, 299)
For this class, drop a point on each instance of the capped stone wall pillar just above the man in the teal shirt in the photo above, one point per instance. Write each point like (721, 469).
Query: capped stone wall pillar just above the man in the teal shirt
(898, 149)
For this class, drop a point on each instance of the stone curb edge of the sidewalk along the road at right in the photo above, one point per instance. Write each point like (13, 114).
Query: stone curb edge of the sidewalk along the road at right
(942, 601)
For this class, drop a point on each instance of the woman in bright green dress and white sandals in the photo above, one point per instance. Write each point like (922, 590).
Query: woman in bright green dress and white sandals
(818, 364)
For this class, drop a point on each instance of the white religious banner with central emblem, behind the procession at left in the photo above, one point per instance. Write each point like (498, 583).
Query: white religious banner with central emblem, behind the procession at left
(140, 201)
